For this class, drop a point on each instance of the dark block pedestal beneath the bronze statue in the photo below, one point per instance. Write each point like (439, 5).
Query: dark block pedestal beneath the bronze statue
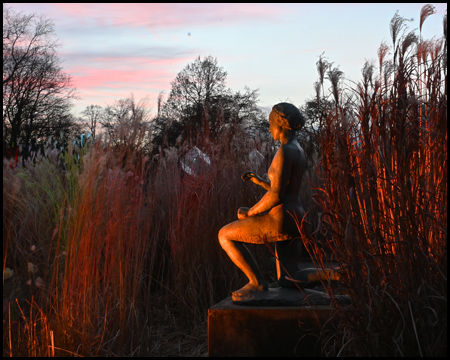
(269, 327)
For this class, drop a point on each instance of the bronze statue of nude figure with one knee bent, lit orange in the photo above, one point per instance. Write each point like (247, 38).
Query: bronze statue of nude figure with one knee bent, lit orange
(273, 217)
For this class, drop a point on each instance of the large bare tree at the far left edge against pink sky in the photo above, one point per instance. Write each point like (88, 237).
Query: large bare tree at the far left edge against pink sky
(36, 92)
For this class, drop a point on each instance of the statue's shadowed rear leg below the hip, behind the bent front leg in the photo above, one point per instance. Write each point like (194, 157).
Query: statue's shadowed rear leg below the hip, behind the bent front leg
(286, 258)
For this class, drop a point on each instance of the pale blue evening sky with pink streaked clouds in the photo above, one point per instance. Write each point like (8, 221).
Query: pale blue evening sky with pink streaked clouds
(114, 50)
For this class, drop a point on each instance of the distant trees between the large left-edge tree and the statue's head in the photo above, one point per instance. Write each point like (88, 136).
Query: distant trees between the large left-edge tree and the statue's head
(199, 108)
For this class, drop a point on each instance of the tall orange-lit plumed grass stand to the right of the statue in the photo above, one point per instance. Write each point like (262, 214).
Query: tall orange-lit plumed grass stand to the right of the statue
(384, 200)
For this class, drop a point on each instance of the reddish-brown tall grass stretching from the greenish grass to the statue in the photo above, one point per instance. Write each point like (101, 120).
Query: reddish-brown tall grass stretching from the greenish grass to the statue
(130, 244)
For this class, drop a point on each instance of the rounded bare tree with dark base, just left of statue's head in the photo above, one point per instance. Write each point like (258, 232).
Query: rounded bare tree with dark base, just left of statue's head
(200, 103)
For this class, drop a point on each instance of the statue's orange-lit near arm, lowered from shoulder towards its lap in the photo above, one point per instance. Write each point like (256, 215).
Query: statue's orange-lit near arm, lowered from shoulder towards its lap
(279, 180)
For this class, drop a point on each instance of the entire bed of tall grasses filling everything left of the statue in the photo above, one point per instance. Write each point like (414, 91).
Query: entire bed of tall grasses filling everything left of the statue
(110, 252)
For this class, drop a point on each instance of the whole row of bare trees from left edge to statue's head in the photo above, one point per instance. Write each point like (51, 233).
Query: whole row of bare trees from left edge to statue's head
(37, 96)
